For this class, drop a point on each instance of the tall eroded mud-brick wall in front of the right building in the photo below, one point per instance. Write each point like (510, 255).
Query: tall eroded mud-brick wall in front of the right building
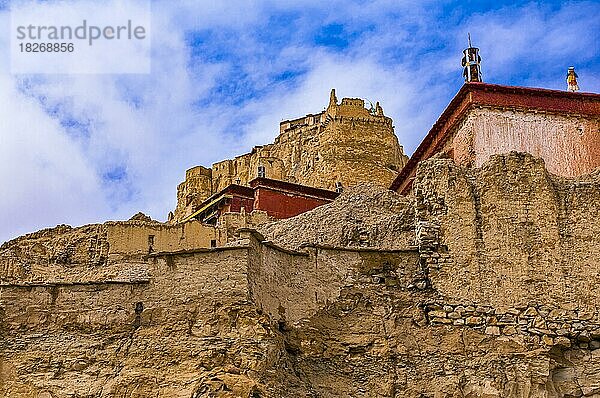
(515, 238)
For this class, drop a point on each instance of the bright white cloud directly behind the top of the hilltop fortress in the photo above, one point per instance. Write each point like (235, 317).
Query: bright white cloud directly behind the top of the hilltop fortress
(399, 95)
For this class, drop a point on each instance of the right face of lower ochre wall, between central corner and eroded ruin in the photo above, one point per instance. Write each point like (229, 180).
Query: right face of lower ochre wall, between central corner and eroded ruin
(292, 286)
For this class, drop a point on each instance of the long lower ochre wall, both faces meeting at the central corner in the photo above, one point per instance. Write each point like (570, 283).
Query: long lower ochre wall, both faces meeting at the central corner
(288, 285)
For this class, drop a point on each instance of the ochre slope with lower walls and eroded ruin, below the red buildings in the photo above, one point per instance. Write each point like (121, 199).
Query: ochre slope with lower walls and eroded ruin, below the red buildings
(494, 295)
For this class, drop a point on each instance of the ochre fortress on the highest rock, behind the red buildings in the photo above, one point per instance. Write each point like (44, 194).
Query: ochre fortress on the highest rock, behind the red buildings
(346, 143)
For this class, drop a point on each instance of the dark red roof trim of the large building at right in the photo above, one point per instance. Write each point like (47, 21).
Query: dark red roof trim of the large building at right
(472, 94)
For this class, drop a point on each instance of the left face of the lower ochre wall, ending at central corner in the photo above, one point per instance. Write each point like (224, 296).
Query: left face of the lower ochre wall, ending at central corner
(148, 293)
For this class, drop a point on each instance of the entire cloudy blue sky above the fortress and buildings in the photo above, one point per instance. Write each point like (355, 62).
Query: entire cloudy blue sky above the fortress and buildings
(77, 149)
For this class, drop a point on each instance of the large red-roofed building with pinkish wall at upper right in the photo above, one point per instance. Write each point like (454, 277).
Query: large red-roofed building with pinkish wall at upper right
(485, 119)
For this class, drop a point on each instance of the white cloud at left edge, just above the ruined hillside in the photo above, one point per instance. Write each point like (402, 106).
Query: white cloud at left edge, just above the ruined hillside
(45, 177)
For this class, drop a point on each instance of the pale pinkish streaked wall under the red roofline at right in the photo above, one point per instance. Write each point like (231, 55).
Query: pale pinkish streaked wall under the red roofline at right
(567, 143)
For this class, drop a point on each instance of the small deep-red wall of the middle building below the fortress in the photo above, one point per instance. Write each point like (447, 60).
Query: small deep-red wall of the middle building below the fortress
(281, 204)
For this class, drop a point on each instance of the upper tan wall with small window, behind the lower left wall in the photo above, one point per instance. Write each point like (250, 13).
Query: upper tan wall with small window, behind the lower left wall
(96, 252)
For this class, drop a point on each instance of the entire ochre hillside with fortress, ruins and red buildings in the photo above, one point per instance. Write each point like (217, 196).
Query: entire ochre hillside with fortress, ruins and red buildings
(483, 281)
